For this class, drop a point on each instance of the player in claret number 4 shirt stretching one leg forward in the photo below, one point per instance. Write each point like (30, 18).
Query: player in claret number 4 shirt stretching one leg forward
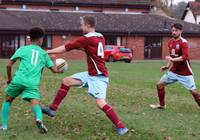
(96, 78)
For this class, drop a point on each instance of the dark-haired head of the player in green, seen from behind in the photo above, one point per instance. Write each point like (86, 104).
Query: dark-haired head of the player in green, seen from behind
(36, 35)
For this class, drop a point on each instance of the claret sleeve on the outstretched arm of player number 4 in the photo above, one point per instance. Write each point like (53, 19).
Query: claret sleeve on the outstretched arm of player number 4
(80, 43)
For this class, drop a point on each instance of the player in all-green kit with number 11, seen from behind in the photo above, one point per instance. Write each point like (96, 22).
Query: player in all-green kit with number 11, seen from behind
(26, 80)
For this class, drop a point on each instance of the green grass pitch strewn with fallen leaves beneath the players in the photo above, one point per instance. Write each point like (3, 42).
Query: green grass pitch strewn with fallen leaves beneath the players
(131, 90)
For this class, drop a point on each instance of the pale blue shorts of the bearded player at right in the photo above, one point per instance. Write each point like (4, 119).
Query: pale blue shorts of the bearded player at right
(171, 77)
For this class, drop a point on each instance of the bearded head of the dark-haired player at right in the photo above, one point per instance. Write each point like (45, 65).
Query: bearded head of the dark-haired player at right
(176, 30)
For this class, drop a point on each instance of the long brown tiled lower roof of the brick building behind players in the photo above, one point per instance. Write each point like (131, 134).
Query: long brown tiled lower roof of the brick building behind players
(65, 22)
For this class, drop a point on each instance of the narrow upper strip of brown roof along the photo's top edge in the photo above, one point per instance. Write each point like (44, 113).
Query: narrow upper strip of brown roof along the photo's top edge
(108, 3)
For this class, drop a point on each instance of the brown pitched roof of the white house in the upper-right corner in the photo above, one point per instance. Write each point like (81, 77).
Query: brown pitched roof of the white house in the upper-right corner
(194, 7)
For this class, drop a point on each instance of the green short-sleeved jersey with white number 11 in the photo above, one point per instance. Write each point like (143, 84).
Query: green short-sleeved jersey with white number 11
(32, 61)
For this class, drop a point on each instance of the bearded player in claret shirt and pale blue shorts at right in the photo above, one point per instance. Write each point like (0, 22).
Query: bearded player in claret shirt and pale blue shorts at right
(179, 69)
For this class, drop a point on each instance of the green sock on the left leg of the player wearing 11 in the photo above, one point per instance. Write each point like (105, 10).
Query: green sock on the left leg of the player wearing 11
(5, 114)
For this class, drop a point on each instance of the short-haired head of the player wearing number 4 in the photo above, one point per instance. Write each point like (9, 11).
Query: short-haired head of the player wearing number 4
(88, 23)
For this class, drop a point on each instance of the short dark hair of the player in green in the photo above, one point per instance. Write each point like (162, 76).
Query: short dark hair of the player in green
(36, 33)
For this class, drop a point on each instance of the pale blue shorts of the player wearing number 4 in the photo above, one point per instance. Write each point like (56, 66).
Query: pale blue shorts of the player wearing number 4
(97, 85)
